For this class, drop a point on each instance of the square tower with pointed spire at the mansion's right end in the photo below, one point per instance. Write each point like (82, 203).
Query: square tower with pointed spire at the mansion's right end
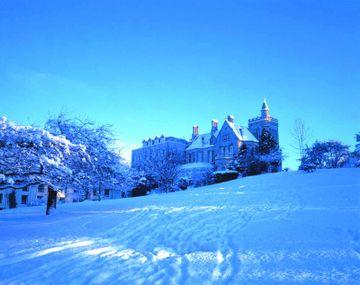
(265, 121)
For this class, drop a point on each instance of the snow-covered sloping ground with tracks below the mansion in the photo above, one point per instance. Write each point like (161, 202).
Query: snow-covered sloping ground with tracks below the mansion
(286, 228)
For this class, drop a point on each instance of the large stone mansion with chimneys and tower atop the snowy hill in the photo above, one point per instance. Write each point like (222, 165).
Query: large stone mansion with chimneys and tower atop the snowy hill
(217, 147)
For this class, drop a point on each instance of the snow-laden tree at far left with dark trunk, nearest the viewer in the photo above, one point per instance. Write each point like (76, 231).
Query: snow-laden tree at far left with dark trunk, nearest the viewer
(30, 156)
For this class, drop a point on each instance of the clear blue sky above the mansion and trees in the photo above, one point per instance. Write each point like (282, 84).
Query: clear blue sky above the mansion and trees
(158, 67)
